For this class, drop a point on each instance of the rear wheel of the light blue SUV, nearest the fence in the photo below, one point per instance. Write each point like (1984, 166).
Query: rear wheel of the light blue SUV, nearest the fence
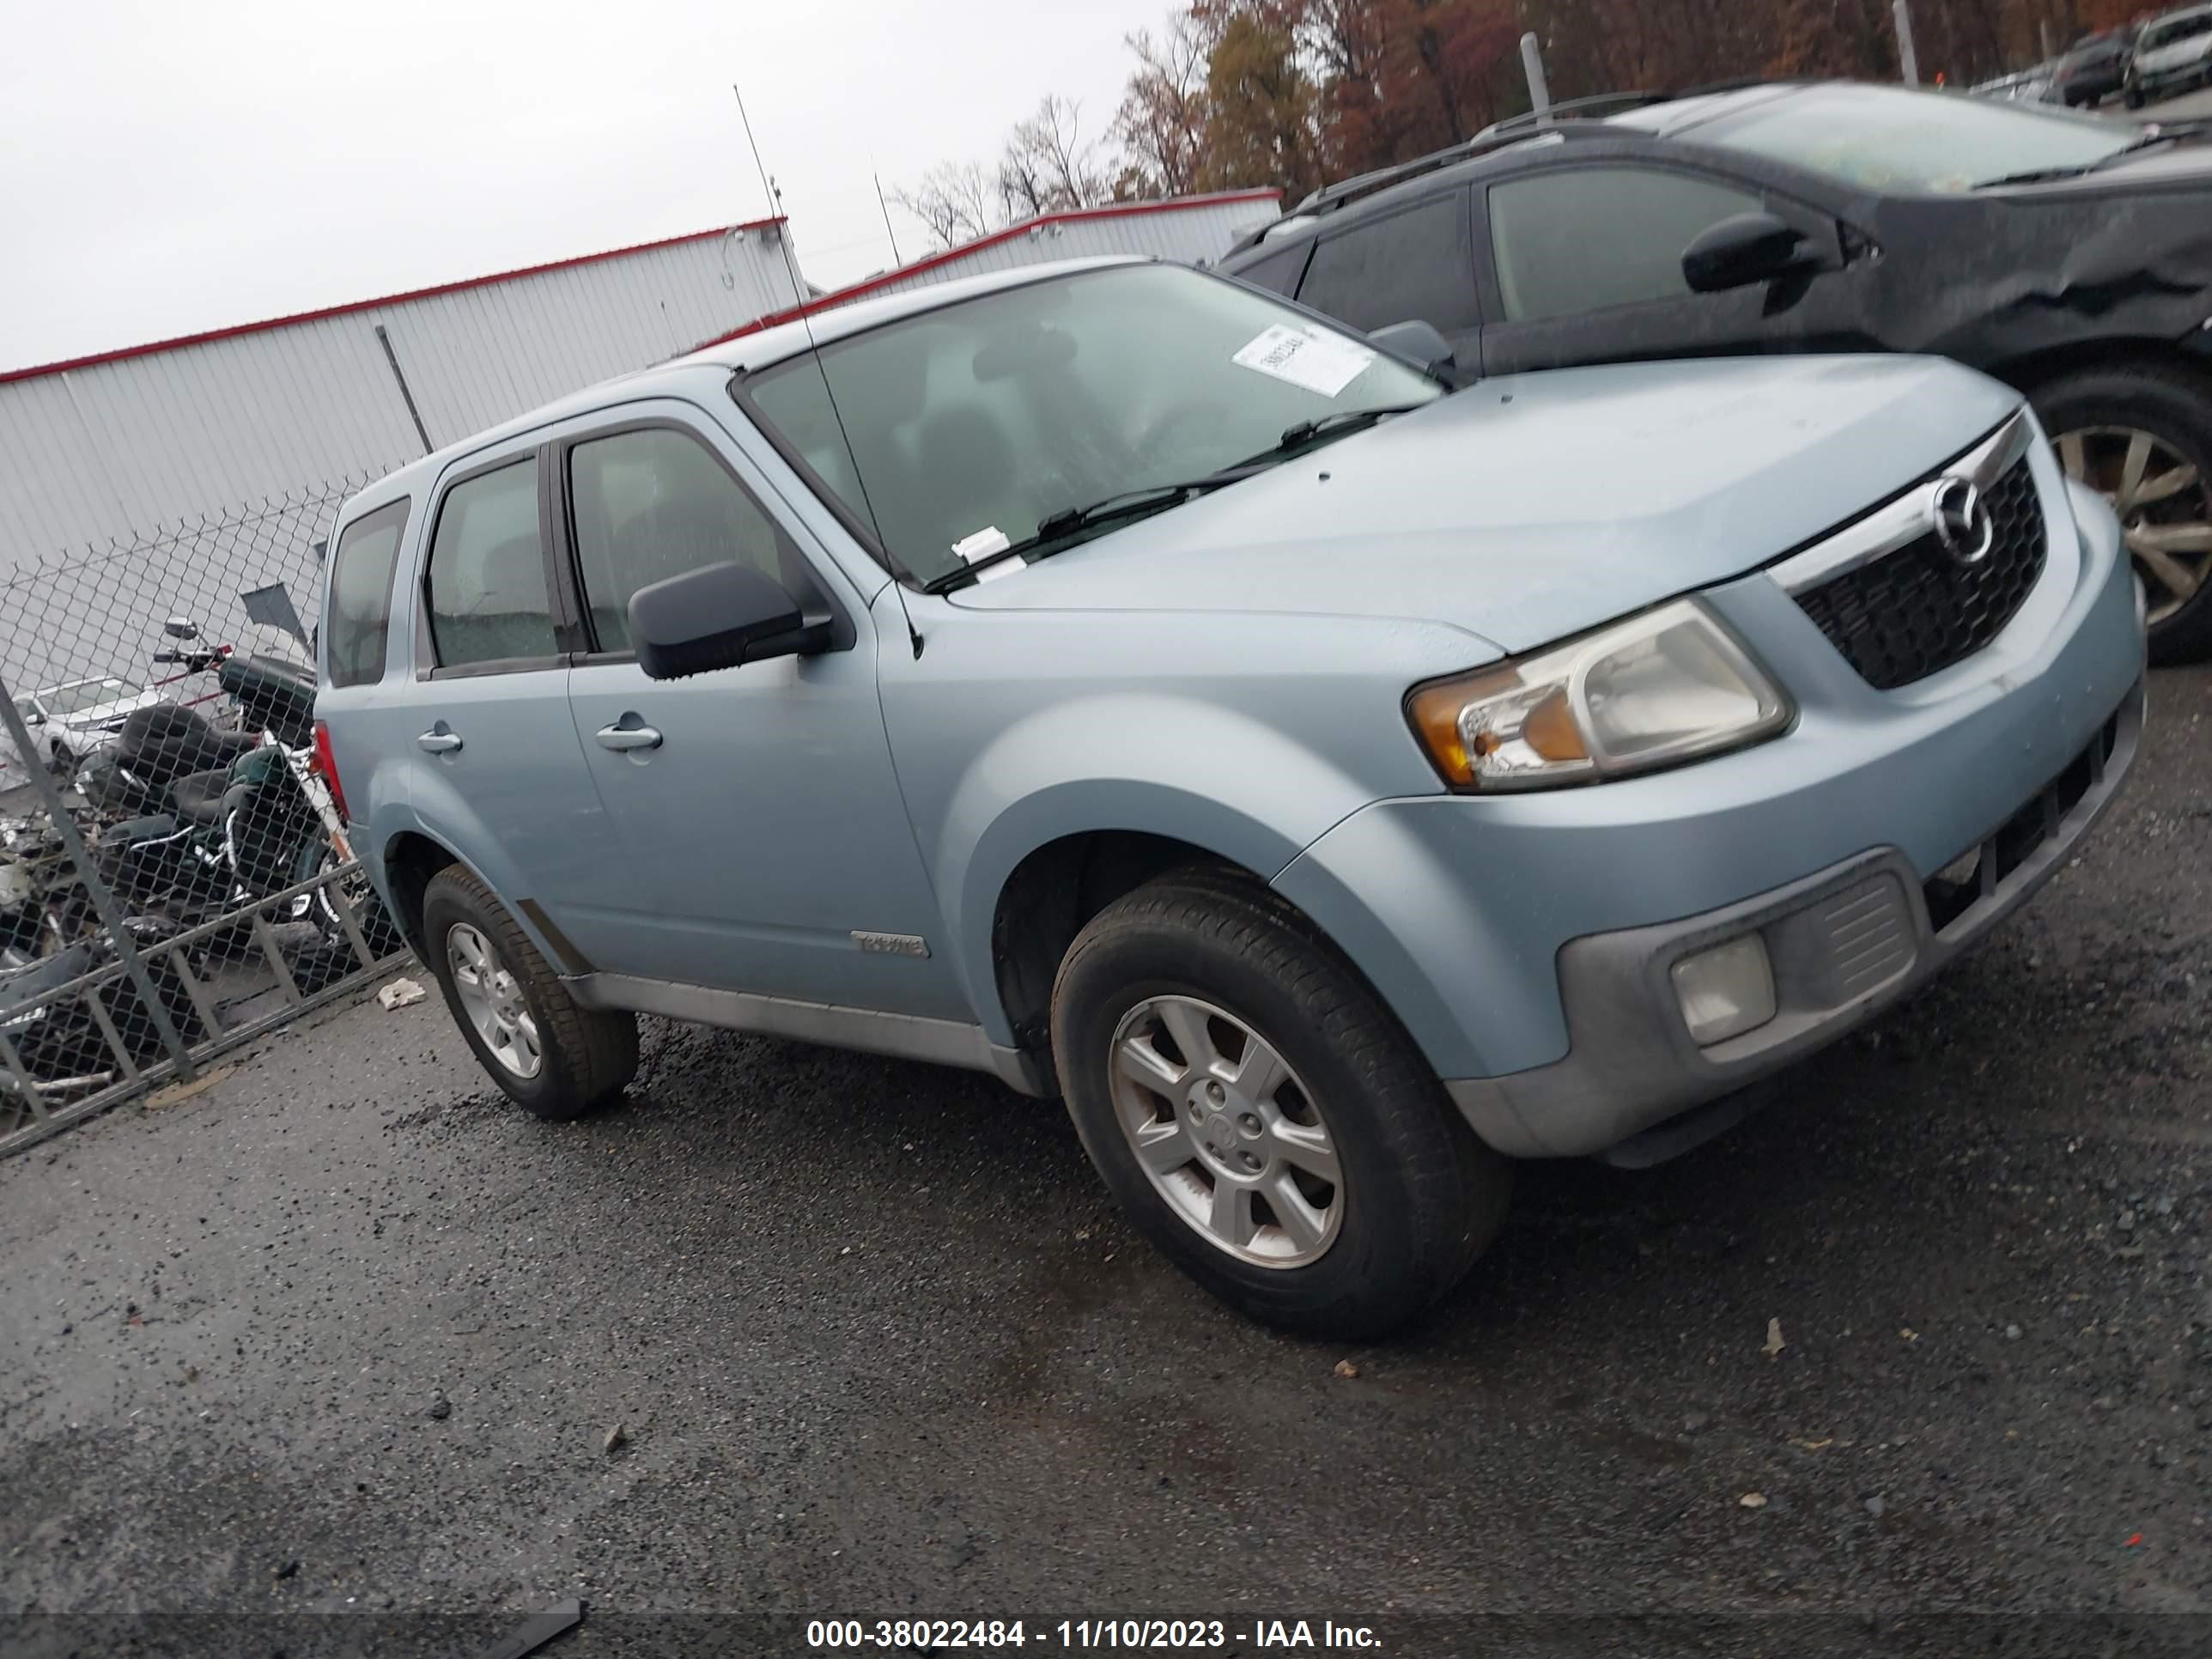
(554, 1058)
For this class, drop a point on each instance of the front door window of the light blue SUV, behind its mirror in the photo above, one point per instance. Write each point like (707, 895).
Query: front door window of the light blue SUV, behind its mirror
(651, 505)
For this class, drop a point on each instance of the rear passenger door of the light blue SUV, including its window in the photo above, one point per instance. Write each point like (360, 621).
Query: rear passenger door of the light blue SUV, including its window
(499, 773)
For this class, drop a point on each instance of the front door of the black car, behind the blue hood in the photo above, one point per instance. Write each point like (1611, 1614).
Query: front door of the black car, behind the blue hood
(1580, 262)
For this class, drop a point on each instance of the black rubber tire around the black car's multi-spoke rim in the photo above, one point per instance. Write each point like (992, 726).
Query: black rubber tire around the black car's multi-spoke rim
(2173, 406)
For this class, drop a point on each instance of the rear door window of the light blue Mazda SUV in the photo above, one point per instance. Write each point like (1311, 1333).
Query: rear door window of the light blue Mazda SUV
(488, 574)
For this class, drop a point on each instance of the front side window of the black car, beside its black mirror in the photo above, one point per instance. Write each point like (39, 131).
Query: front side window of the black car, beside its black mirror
(1580, 240)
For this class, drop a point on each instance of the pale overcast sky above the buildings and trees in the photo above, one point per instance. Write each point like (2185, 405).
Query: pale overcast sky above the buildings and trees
(174, 167)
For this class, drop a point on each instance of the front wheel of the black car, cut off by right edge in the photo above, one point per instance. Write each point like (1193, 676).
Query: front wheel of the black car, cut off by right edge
(2142, 435)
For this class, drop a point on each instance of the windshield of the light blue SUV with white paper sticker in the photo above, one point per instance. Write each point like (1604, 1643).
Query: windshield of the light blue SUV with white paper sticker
(994, 415)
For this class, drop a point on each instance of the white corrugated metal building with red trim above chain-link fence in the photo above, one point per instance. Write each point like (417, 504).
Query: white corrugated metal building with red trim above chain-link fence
(116, 446)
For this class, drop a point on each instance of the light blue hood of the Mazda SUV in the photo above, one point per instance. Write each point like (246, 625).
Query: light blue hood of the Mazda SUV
(1530, 508)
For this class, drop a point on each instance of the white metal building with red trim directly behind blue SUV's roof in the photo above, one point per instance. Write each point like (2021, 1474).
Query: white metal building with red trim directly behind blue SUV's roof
(1193, 231)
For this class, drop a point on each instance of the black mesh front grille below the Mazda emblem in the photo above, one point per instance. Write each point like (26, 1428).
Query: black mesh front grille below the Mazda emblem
(1917, 612)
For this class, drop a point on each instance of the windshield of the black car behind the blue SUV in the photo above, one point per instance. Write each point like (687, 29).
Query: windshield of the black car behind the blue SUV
(1886, 138)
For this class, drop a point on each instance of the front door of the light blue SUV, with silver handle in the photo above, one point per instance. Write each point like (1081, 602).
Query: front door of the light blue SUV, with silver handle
(758, 806)
